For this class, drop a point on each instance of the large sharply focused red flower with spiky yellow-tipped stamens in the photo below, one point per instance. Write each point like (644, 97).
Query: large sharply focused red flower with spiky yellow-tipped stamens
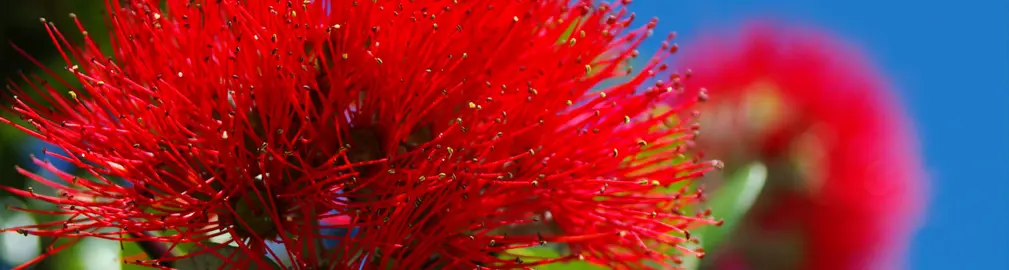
(431, 128)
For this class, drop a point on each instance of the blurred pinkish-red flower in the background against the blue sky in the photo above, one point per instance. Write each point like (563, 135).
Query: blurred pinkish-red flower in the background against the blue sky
(820, 118)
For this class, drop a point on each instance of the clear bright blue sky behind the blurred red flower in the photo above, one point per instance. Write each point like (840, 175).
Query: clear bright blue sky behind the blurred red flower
(950, 62)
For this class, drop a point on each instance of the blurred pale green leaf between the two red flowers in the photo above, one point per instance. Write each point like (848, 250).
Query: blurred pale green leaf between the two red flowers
(730, 203)
